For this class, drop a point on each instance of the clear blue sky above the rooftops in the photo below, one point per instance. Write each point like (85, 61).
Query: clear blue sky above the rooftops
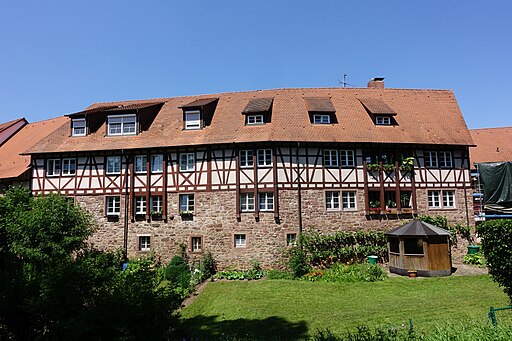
(59, 57)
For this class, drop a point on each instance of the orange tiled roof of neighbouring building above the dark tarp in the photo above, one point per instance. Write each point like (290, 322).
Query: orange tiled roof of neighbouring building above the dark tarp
(492, 145)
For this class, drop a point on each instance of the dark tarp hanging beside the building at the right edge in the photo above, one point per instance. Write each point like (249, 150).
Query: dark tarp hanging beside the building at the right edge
(496, 179)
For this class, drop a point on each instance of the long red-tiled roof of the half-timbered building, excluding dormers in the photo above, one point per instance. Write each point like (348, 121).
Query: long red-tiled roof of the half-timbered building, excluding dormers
(427, 117)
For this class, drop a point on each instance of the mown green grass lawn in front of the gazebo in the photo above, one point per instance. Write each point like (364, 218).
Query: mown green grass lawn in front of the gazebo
(295, 309)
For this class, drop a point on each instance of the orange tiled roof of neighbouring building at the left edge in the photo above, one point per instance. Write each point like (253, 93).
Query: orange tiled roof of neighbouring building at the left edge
(12, 164)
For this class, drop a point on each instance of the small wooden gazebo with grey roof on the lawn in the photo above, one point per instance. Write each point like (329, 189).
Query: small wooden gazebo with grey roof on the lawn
(421, 247)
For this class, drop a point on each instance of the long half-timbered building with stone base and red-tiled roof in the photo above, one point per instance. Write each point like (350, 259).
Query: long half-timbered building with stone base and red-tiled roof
(241, 174)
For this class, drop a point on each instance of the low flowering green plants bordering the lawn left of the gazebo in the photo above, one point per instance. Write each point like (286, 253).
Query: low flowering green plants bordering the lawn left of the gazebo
(353, 273)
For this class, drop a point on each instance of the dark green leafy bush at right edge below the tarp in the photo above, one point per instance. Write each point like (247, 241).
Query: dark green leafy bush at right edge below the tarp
(496, 246)
